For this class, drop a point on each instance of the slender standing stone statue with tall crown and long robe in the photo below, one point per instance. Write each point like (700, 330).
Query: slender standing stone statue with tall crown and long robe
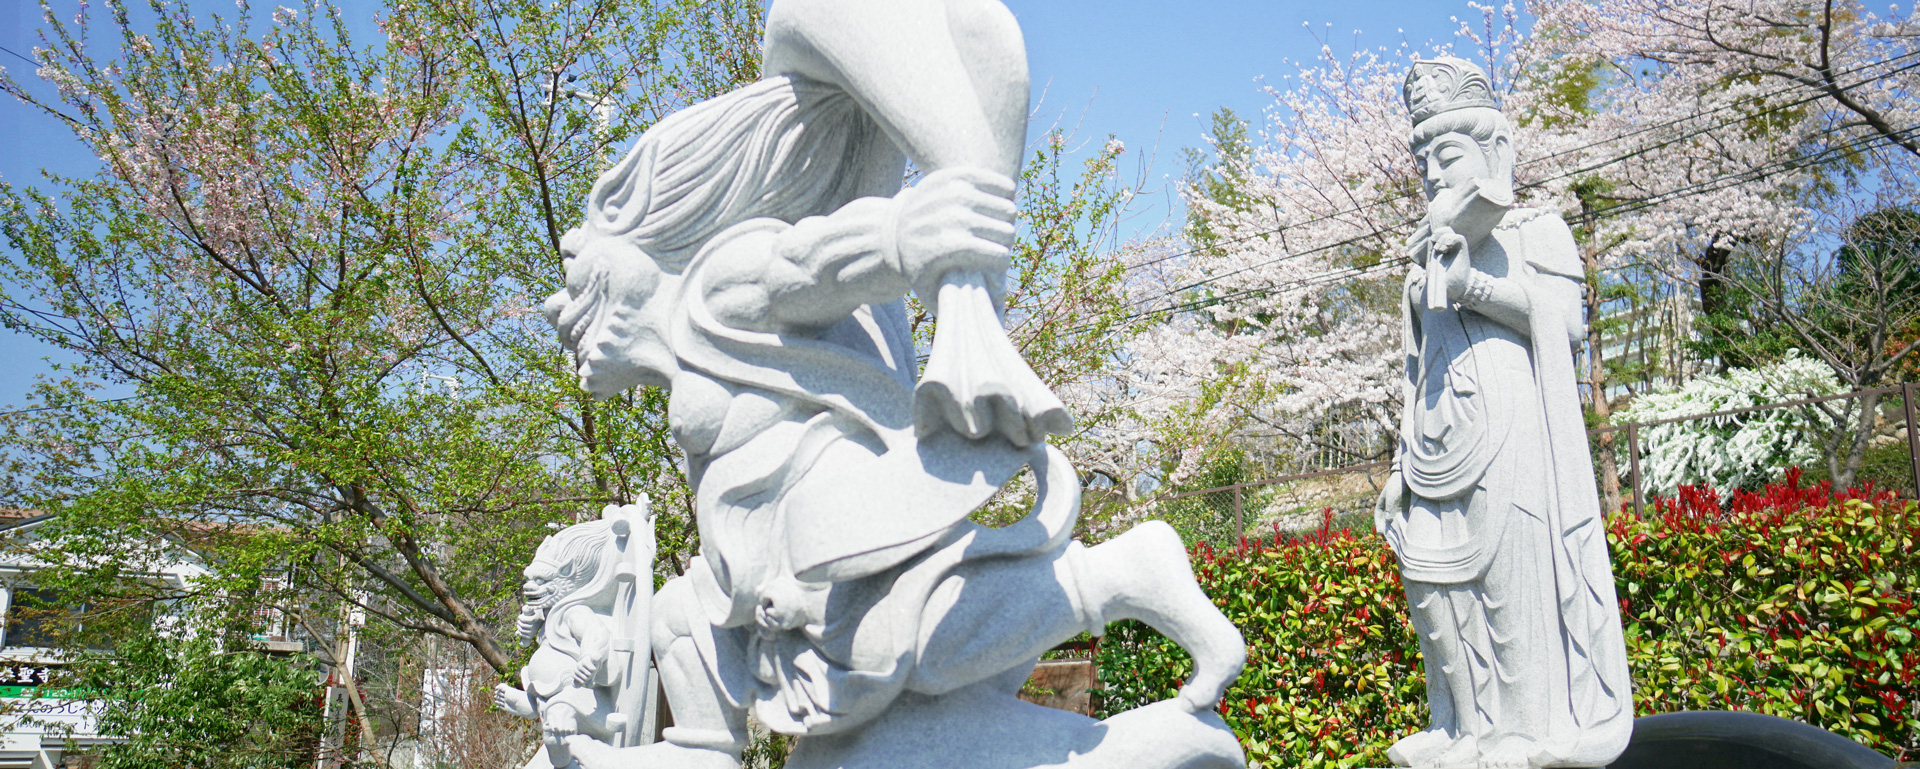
(1493, 507)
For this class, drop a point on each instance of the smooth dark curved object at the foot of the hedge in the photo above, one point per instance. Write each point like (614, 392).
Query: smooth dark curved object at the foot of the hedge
(1714, 739)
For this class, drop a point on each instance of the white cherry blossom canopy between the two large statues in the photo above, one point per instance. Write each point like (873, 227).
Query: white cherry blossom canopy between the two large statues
(1280, 310)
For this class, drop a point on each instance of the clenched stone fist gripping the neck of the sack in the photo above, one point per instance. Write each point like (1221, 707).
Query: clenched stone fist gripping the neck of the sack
(955, 220)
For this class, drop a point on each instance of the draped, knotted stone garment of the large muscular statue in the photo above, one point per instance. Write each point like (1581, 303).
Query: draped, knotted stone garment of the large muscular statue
(840, 505)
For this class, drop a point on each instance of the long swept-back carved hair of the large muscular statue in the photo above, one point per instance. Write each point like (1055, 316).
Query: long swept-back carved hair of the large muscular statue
(782, 149)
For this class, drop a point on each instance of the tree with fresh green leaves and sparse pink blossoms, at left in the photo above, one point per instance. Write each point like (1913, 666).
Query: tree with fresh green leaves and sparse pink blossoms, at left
(314, 262)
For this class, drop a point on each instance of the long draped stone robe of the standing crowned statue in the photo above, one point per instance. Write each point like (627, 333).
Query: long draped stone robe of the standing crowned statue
(1504, 544)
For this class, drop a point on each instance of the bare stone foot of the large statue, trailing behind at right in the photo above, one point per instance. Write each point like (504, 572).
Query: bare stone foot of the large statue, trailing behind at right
(1145, 576)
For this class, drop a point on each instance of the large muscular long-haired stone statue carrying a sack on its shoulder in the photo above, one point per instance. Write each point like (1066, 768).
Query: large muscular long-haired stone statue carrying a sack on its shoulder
(752, 256)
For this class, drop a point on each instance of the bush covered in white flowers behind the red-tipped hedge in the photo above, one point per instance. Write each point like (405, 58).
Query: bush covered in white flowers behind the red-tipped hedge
(1733, 452)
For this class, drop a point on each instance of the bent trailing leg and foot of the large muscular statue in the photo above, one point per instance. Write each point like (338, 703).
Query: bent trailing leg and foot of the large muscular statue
(1141, 574)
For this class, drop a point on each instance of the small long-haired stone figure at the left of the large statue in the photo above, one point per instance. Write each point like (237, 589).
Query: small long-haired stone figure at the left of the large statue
(569, 682)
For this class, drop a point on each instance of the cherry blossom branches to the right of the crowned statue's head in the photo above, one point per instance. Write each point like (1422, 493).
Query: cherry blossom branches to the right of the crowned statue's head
(1779, 118)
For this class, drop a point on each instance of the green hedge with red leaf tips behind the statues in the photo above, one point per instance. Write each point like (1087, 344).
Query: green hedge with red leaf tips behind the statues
(1794, 601)
